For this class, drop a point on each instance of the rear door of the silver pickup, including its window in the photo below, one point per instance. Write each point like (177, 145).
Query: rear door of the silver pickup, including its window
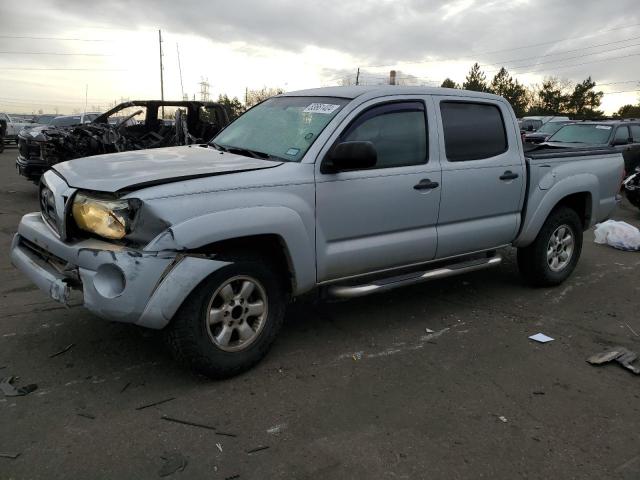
(483, 175)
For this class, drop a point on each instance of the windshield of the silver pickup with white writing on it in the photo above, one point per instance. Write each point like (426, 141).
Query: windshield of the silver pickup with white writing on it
(283, 127)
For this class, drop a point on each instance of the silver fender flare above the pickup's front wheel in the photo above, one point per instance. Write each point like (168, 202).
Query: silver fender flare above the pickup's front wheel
(283, 222)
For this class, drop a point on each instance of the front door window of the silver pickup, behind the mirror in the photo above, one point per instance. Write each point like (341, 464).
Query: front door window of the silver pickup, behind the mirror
(398, 131)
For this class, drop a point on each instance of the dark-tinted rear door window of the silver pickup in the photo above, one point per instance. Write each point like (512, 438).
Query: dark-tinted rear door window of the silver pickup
(472, 131)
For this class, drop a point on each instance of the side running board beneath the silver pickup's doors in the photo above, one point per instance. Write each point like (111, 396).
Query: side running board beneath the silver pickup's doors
(351, 291)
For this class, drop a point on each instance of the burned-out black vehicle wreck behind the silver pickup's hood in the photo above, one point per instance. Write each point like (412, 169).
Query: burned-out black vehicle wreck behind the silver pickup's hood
(129, 126)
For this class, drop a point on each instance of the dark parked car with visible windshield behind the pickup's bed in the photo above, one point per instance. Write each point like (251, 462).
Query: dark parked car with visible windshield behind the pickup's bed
(621, 135)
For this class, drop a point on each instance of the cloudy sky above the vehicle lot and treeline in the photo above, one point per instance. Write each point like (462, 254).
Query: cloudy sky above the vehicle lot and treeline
(51, 51)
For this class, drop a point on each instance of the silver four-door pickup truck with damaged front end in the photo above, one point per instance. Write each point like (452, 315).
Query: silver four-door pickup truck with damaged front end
(342, 191)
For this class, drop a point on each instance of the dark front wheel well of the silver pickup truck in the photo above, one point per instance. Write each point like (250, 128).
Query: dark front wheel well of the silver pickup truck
(269, 246)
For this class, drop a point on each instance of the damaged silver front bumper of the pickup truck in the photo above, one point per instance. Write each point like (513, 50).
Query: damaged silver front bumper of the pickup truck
(117, 283)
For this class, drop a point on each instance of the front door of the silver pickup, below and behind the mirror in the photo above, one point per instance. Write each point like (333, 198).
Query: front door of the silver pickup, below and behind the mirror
(381, 217)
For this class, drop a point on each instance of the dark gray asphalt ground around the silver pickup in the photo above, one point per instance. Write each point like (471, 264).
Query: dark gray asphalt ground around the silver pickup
(350, 390)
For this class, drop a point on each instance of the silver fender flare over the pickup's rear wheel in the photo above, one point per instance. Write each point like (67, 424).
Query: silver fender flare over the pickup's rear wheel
(547, 200)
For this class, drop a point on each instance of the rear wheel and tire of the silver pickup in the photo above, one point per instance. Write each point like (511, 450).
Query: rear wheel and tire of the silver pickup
(536, 261)
